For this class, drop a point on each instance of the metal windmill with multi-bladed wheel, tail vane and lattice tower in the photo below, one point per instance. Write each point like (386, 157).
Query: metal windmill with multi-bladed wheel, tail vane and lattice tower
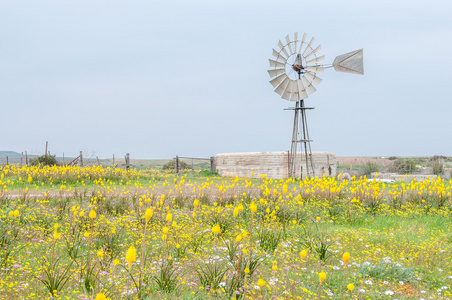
(294, 75)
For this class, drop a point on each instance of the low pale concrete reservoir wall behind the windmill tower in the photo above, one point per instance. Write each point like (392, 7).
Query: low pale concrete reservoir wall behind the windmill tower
(273, 164)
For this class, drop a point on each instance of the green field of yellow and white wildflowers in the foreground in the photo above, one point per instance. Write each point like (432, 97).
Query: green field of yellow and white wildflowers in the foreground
(99, 233)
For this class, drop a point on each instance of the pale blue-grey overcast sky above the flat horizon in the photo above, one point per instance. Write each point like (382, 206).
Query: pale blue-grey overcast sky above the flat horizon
(189, 78)
